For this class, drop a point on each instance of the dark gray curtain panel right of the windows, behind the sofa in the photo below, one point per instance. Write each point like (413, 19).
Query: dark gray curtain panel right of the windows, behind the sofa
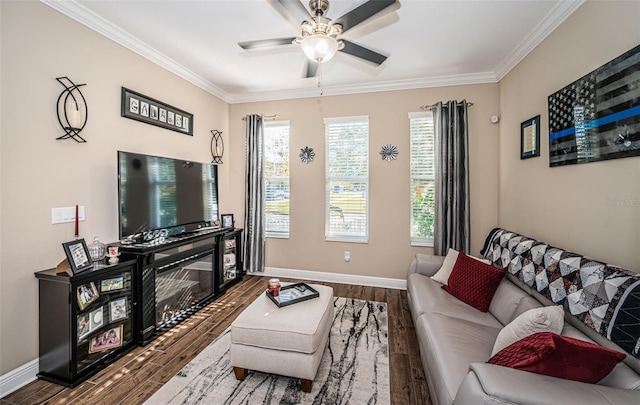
(451, 228)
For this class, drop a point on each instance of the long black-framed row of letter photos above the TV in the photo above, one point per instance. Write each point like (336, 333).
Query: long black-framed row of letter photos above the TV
(145, 109)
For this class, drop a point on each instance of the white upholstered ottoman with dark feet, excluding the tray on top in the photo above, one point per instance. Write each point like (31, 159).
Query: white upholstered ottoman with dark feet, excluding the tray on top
(287, 341)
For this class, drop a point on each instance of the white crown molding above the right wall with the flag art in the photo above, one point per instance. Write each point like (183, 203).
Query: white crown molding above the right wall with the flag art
(560, 12)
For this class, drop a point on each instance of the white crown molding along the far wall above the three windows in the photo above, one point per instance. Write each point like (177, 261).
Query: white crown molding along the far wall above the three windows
(410, 84)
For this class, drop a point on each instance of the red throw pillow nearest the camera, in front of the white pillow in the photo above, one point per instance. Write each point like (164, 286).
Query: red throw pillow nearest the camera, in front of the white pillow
(559, 356)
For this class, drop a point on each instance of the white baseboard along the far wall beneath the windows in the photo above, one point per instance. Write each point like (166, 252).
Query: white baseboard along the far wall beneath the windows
(394, 283)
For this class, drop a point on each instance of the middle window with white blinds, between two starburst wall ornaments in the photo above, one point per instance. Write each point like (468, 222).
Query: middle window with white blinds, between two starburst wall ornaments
(347, 179)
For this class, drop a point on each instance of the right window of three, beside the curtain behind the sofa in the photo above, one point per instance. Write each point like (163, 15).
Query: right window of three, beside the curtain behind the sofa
(422, 167)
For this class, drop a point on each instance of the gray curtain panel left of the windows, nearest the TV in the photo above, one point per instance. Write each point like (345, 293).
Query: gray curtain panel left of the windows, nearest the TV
(253, 246)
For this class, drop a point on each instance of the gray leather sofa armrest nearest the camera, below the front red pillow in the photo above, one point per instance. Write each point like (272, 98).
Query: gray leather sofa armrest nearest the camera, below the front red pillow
(492, 384)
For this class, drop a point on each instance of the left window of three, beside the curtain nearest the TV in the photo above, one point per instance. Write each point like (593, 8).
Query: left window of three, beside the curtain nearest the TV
(276, 178)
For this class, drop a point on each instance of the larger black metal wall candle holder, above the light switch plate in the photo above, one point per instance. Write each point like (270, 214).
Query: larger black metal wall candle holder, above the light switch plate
(72, 110)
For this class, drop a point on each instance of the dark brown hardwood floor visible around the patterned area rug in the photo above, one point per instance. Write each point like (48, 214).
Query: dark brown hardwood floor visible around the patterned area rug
(137, 375)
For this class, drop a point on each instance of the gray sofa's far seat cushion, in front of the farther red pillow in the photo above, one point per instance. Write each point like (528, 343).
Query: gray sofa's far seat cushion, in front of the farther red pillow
(427, 296)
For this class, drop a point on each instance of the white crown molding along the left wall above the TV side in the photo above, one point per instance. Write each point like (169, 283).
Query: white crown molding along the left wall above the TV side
(78, 12)
